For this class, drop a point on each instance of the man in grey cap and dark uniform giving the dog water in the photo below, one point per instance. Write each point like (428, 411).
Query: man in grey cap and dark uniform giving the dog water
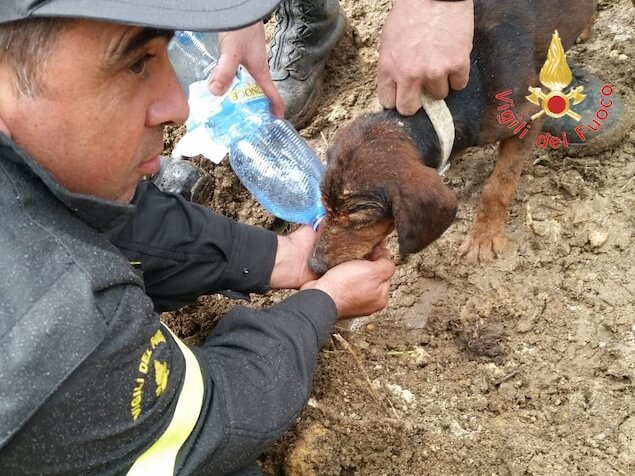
(91, 381)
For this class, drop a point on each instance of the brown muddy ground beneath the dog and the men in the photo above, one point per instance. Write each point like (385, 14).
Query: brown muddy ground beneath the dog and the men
(523, 366)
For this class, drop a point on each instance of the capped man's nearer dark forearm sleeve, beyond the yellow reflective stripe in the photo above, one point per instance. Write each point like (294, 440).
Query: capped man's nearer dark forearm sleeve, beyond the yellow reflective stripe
(262, 364)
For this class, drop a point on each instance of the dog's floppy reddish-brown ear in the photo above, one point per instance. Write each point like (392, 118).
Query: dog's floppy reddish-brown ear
(423, 208)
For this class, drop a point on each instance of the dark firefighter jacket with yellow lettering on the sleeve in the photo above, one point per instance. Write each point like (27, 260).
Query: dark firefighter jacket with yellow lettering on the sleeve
(79, 340)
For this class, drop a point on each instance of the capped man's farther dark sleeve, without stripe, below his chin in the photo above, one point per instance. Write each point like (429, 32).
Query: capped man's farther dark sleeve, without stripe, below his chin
(185, 250)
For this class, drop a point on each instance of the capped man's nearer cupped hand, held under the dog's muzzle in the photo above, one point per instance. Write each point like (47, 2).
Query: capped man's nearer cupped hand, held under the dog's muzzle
(358, 287)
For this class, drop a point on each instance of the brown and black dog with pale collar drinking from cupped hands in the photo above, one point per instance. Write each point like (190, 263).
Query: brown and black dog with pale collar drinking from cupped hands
(381, 169)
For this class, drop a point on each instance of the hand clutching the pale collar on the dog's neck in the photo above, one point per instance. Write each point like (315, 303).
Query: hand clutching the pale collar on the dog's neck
(425, 45)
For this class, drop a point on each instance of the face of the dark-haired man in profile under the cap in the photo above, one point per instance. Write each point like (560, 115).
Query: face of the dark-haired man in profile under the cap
(96, 125)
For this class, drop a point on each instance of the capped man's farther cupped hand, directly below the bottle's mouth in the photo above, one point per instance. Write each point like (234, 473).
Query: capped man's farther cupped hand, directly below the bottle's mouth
(291, 269)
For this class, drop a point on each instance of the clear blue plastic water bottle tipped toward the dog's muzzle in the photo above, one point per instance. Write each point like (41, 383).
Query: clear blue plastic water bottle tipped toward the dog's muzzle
(267, 154)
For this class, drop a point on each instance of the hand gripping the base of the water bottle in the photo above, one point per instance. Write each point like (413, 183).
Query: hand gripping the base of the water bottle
(247, 47)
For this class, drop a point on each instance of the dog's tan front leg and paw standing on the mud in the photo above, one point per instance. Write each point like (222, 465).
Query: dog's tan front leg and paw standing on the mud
(486, 238)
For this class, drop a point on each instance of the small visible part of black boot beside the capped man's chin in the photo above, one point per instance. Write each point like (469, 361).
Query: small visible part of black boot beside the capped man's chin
(184, 178)
